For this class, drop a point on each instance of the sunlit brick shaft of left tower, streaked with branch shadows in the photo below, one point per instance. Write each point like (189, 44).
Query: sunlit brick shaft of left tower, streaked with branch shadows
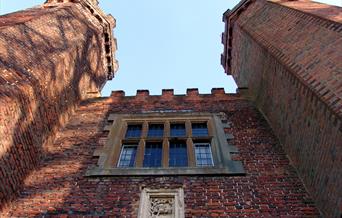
(50, 59)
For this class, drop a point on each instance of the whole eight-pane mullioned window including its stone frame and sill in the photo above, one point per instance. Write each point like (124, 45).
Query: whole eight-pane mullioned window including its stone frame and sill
(166, 143)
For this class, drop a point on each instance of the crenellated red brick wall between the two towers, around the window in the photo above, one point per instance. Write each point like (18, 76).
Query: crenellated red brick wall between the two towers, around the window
(271, 186)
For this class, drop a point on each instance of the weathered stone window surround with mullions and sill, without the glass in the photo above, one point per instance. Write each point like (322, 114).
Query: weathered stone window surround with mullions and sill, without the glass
(221, 150)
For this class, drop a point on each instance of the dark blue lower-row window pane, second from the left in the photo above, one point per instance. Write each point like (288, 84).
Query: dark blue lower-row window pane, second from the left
(153, 154)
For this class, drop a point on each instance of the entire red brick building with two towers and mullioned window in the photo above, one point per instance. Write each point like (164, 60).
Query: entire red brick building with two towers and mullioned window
(273, 149)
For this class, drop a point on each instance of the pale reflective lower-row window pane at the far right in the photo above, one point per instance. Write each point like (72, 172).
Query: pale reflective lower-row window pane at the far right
(203, 154)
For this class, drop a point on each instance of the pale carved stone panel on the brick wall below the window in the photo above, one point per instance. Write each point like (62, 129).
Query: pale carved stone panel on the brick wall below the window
(161, 203)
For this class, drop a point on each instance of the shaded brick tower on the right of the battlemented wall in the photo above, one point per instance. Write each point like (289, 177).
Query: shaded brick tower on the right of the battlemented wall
(290, 62)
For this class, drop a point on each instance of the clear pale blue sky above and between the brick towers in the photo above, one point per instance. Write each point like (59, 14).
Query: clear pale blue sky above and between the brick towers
(164, 43)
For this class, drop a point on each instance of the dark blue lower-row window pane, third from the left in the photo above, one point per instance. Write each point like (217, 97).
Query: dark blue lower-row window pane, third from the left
(178, 156)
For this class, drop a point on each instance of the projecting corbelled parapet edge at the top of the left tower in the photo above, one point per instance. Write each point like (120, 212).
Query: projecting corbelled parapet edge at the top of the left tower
(107, 22)
